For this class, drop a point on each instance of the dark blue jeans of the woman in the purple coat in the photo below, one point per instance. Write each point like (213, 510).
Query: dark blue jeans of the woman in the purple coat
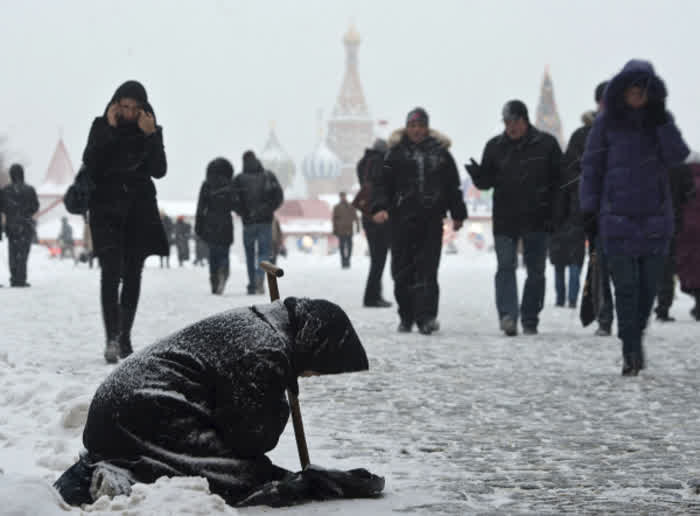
(636, 280)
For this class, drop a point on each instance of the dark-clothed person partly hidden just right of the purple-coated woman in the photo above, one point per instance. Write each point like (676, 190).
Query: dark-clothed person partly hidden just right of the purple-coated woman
(682, 190)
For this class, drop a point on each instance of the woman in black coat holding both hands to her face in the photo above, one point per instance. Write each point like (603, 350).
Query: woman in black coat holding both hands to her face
(124, 151)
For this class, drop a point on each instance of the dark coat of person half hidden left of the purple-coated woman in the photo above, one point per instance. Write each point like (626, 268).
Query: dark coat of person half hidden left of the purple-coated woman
(568, 243)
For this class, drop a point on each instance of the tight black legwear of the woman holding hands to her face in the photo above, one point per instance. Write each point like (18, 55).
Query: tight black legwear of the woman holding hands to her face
(116, 269)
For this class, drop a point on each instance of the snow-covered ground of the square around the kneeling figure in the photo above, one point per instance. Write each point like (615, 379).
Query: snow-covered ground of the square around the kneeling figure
(466, 421)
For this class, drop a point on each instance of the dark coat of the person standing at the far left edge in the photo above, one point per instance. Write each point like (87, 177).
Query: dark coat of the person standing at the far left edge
(19, 203)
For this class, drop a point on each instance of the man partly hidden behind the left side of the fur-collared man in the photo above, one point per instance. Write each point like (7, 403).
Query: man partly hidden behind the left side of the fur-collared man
(369, 171)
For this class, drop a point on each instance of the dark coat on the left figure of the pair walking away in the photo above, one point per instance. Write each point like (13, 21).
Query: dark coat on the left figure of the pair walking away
(217, 199)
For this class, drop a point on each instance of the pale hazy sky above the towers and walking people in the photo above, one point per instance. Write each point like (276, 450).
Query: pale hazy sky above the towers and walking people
(217, 72)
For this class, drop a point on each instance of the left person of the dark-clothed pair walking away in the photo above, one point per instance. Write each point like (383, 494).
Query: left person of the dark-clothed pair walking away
(213, 223)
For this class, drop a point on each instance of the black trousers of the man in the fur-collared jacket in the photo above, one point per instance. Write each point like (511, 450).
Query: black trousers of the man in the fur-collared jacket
(415, 257)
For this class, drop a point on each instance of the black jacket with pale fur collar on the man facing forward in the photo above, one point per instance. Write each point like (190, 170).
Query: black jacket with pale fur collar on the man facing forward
(419, 180)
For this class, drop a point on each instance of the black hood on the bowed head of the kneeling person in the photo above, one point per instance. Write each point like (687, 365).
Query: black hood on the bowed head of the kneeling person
(324, 338)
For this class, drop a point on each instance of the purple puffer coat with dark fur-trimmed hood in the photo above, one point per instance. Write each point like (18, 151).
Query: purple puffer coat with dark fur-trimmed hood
(625, 168)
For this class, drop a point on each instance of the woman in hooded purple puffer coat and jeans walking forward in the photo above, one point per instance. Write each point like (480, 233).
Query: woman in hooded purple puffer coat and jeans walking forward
(625, 183)
